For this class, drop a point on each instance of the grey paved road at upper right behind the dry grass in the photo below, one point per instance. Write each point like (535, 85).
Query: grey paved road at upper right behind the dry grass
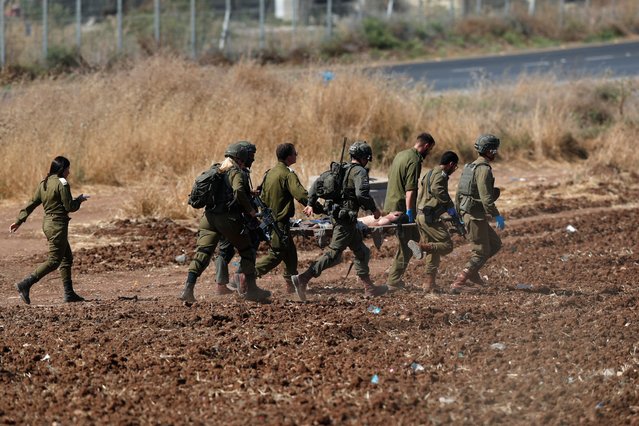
(616, 60)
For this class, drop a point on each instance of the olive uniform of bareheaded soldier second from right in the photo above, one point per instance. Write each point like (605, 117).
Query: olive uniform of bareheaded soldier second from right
(434, 198)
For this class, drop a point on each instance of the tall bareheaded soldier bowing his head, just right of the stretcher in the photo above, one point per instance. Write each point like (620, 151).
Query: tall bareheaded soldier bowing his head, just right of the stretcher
(401, 195)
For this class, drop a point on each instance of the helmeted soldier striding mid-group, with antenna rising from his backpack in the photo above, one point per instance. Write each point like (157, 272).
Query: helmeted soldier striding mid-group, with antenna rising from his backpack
(356, 195)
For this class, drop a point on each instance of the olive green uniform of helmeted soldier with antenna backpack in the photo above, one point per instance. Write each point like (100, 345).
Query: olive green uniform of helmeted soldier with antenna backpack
(345, 230)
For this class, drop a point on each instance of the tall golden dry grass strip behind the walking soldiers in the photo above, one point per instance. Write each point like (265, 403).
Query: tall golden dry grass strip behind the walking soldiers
(159, 123)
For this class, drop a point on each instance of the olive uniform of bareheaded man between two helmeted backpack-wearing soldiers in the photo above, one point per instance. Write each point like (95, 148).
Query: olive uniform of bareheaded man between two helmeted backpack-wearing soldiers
(280, 189)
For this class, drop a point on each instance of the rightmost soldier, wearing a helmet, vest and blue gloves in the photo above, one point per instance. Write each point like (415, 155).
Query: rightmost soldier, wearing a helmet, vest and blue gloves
(475, 200)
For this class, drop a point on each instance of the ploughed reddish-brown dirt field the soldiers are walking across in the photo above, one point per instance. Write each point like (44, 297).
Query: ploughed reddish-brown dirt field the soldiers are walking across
(565, 351)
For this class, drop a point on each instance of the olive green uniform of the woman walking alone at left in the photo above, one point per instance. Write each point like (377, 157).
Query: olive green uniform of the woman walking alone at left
(57, 202)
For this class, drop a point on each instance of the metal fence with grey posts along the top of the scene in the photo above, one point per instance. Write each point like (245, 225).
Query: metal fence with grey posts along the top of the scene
(33, 30)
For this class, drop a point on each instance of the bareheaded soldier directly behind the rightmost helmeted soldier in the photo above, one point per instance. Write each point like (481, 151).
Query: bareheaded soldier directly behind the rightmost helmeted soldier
(433, 201)
